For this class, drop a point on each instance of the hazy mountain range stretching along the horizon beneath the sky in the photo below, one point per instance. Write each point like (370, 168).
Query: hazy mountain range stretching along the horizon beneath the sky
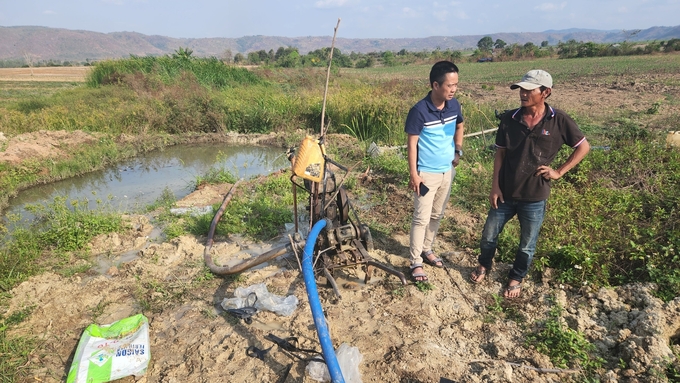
(42, 43)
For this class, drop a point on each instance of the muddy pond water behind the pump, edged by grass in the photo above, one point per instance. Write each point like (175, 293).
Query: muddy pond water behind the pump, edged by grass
(136, 183)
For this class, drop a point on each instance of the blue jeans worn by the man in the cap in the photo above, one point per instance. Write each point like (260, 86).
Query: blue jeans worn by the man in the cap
(530, 216)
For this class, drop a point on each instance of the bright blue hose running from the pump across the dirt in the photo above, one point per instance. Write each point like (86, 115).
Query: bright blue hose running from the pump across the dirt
(315, 304)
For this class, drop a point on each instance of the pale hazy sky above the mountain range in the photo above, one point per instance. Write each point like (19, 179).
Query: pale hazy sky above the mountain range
(360, 18)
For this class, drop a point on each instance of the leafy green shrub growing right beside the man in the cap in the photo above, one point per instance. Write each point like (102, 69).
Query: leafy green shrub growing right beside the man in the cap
(614, 220)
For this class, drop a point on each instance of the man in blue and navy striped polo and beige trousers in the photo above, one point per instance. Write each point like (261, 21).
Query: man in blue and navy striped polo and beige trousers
(435, 144)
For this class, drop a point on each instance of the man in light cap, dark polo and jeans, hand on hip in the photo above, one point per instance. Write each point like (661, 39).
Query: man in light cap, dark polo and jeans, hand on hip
(527, 141)
